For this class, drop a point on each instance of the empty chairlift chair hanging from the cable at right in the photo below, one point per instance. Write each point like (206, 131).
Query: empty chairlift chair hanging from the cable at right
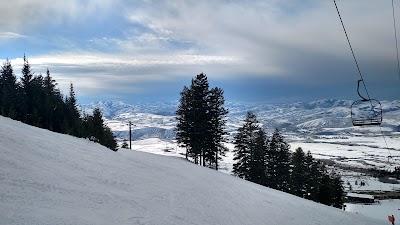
(365, 112)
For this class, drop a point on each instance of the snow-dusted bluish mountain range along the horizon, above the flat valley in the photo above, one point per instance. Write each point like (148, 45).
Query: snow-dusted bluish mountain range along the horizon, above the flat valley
(323, 117)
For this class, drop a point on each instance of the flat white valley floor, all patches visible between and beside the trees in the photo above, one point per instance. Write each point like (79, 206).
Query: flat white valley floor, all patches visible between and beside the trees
(362, 152)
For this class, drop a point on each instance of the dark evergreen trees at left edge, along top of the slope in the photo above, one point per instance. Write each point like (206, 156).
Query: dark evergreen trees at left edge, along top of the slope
(36, 100)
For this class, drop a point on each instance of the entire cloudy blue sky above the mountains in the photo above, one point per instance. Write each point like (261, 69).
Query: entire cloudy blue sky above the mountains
(267, 50)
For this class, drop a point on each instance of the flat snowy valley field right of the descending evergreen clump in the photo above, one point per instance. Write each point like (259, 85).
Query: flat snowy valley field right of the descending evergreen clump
(360, 151)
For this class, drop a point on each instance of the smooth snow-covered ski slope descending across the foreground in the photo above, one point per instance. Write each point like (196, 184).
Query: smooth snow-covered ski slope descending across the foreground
(48, 178)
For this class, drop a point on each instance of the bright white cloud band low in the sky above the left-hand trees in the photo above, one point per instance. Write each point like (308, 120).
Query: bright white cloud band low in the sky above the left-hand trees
(94, 73)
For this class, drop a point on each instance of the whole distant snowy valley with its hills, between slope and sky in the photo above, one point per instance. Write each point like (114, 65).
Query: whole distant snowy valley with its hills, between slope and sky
(323, 127)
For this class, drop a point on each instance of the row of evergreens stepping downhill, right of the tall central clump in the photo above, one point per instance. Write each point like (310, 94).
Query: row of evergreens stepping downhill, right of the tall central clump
(270, 163)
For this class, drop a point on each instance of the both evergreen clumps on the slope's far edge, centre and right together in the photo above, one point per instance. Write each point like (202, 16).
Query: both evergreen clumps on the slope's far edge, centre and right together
(201, 118)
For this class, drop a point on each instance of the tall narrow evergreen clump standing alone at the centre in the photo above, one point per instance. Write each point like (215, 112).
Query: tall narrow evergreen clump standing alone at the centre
(201, 118)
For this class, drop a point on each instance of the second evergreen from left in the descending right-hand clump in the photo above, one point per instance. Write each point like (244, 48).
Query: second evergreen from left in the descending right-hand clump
(277, 163)
